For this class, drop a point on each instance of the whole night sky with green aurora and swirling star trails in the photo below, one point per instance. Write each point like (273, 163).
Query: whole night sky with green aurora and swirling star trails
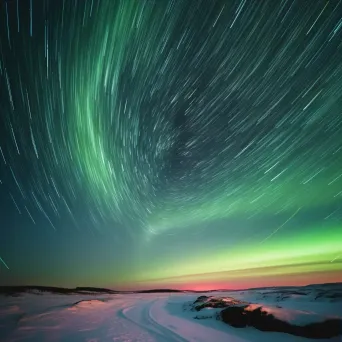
(175, 143)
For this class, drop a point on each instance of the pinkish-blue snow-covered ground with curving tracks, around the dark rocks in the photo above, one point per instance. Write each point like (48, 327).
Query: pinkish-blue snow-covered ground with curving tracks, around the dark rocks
(151, 317)
